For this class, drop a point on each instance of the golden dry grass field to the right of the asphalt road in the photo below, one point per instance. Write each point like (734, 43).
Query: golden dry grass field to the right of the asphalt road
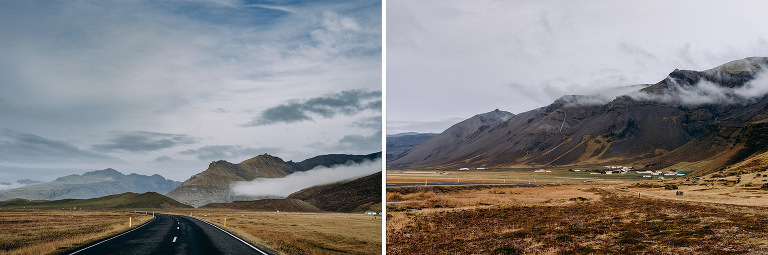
(300, 233)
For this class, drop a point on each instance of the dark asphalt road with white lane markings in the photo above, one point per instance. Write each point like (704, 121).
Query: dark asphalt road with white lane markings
(172, 234)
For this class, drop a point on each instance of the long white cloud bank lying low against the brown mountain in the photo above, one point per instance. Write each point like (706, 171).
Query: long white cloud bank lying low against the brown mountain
(283, 187)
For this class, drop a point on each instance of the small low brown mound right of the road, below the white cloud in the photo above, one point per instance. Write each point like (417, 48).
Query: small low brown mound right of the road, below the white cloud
(268, 205)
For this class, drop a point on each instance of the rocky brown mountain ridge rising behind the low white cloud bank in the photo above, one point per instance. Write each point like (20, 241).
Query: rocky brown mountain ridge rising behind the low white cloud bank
(213, 184)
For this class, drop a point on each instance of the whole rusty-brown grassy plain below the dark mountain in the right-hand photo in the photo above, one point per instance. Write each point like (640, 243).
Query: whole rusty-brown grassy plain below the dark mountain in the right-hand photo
(715, 215)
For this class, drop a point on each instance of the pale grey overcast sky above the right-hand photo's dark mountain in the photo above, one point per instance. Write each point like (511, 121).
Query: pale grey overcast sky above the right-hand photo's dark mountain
(449, 60)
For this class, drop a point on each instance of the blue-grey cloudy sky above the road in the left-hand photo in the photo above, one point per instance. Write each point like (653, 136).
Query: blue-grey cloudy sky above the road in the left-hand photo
(168, 86)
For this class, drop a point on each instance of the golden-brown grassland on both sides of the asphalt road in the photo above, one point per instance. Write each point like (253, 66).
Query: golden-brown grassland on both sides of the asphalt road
(61, 231)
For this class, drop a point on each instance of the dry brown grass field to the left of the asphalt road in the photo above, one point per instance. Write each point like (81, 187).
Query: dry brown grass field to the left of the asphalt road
(59, 231)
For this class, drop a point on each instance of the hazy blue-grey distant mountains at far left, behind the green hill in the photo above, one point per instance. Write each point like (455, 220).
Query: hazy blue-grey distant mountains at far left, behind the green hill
(90, 185)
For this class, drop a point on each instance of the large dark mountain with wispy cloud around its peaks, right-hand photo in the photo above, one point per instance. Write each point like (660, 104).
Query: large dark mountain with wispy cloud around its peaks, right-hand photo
(714, 118)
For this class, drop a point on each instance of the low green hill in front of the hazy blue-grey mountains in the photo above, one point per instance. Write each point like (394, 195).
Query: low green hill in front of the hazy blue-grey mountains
(119, 201)
